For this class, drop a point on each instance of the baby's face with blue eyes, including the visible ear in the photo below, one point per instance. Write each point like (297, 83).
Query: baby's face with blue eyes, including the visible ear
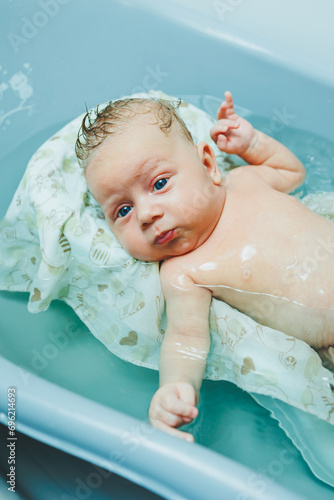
(161, 196)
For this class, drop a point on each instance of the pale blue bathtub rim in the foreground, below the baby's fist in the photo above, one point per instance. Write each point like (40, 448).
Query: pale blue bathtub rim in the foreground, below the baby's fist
(146, 465)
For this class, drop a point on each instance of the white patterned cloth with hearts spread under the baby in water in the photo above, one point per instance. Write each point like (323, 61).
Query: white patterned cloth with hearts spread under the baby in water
(56, 244)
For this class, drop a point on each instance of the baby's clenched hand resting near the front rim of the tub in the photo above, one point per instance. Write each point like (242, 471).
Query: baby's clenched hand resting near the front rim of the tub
(172, 406)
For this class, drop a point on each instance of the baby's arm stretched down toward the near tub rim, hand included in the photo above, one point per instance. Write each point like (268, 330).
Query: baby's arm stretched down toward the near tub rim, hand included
(183, 352)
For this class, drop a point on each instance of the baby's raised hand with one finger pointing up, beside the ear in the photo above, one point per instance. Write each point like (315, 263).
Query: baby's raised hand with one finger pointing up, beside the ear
(232, 133)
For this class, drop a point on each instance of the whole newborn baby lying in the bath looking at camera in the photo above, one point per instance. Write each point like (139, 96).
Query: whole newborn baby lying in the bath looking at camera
(241, 239)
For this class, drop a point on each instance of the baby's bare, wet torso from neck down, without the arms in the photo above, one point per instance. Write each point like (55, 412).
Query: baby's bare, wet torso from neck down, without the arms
(272, 258)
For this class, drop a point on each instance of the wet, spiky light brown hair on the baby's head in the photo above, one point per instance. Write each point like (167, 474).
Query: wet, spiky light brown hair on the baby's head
(98, 124)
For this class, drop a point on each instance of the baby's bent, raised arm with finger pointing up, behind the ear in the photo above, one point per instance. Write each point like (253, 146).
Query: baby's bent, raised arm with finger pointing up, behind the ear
(275, 163)
